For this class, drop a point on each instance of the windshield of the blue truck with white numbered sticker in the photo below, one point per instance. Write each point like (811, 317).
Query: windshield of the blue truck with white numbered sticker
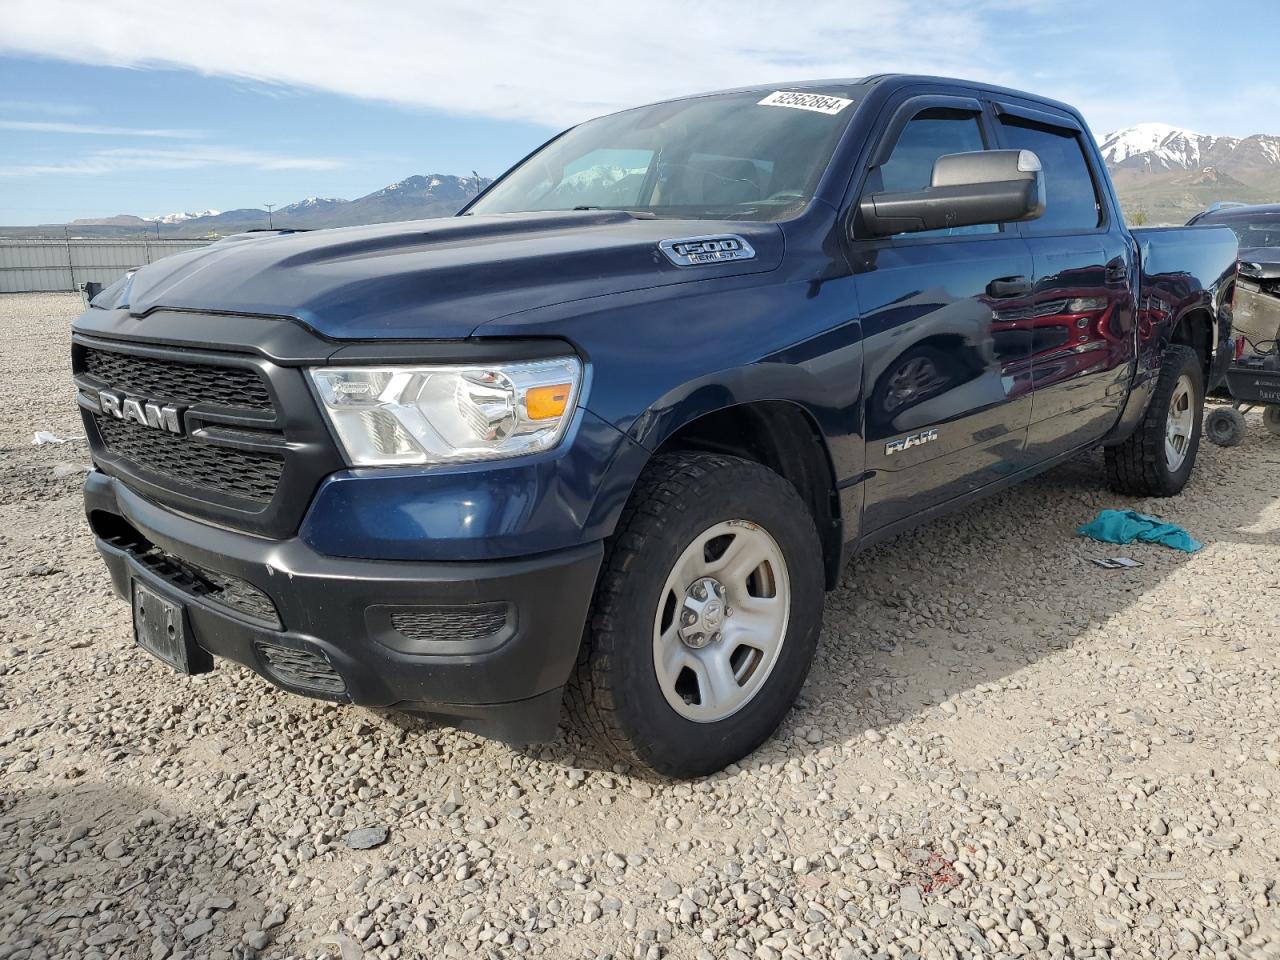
(746, 157)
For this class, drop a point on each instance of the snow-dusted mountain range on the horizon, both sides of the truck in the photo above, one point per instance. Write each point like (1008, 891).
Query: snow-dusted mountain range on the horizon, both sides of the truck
(1163, 176)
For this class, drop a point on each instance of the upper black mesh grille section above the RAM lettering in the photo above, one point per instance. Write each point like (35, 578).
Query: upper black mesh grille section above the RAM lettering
(177, 382)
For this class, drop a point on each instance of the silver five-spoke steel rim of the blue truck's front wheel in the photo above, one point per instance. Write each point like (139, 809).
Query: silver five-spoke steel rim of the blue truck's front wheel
(721, 621)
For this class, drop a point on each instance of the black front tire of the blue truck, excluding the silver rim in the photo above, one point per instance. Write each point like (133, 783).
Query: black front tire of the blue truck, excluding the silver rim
(615, 694)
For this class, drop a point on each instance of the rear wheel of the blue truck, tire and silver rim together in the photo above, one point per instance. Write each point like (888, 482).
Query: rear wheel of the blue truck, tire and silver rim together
(1159, 458)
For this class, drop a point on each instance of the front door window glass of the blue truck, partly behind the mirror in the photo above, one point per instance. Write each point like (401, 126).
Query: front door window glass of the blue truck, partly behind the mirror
(927, 136)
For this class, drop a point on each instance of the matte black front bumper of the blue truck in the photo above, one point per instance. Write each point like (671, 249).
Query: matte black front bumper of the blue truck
(488, 646)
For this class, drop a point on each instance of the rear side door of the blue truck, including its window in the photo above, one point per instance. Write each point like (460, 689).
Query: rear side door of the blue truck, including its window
(1082, 313)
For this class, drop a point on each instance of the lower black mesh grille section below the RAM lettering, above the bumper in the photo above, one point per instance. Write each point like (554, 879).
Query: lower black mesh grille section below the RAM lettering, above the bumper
(185, 460)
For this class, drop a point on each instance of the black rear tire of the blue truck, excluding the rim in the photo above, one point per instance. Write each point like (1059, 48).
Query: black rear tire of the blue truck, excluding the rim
(1137, 467)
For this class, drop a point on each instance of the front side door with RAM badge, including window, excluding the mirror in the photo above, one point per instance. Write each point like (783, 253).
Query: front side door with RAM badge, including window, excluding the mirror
(948, 388)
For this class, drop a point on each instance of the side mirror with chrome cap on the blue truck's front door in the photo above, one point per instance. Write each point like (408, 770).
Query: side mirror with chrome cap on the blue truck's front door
(989, 186)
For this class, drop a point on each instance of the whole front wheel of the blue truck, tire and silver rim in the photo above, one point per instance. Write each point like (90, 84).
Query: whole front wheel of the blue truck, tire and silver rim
(706, 616)
